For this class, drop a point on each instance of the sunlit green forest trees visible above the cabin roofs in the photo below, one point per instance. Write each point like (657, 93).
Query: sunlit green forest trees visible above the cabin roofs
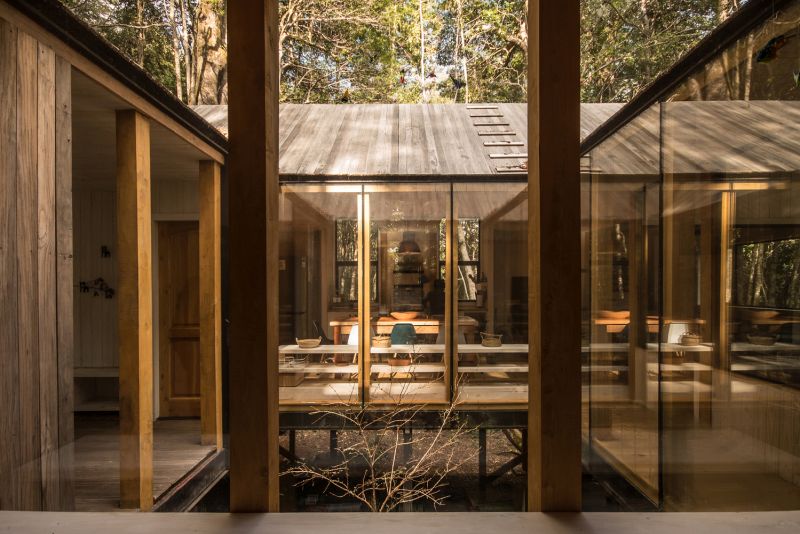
(403, 50)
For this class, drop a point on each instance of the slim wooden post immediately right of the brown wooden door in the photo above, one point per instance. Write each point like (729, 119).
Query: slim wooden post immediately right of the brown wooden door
(210, 305)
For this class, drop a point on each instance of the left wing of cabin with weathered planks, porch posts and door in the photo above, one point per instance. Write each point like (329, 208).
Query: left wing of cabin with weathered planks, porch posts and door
(110, 296)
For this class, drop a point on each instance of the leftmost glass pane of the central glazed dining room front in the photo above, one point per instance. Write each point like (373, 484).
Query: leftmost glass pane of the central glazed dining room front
(318, 283)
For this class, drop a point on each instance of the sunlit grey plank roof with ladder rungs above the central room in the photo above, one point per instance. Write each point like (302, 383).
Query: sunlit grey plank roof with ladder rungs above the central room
(402, 140)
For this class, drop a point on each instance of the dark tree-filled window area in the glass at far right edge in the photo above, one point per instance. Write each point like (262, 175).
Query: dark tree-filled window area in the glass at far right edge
(768, 274)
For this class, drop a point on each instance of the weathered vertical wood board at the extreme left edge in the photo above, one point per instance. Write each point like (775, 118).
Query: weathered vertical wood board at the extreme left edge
(9, 362)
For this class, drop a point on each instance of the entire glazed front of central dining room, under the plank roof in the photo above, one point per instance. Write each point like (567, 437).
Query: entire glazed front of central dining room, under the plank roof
(381, 285)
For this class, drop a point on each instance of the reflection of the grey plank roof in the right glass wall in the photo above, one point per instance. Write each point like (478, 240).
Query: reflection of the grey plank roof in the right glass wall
(734, 138)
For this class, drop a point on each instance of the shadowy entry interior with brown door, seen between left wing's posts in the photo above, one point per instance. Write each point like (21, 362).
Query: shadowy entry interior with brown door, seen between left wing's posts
(176, 377)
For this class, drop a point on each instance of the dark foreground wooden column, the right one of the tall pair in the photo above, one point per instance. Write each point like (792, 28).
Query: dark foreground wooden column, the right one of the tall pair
(554, 412)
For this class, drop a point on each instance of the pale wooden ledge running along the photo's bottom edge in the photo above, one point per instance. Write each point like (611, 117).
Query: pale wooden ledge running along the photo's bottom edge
(403, 523)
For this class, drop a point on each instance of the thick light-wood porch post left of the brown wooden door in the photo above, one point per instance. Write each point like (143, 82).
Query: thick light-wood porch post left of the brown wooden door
(135, 311)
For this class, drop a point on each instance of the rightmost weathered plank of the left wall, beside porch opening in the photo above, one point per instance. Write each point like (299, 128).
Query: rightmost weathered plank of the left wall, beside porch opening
(64, 309)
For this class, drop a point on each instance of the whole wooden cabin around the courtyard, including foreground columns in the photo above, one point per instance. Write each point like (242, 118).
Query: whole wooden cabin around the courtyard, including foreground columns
(633, 305)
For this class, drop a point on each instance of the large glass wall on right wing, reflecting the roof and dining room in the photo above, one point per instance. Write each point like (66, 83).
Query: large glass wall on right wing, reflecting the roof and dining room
(692, 237)
